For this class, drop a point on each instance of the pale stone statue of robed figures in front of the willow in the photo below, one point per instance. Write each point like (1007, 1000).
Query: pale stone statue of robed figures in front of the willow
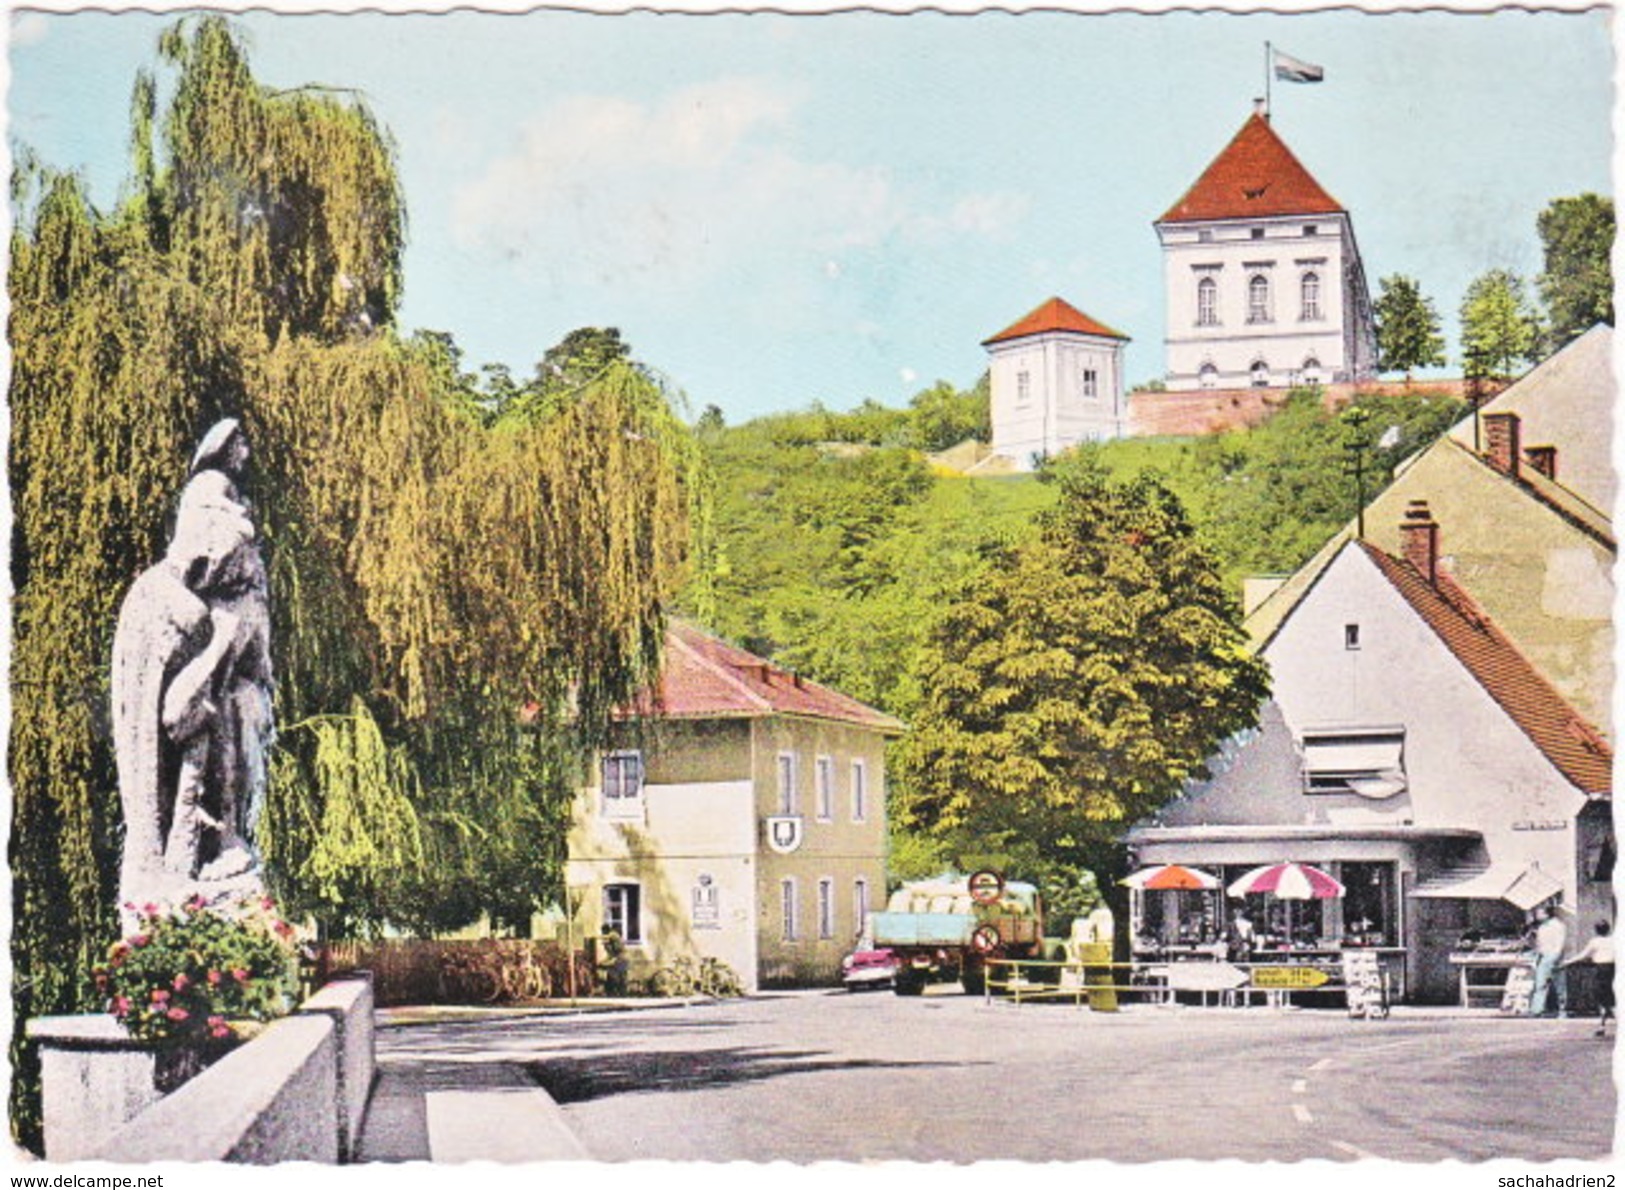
(193, 695)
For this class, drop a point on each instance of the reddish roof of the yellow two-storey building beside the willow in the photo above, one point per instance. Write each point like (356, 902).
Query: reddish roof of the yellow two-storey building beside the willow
(709, 679)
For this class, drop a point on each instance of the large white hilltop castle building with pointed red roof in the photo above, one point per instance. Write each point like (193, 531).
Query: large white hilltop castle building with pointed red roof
(1263, 279)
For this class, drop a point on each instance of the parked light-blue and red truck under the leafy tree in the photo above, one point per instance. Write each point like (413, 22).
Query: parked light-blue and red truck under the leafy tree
(947, 929)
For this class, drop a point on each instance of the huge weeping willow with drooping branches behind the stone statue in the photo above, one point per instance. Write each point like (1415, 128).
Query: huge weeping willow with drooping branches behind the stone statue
(457, 609)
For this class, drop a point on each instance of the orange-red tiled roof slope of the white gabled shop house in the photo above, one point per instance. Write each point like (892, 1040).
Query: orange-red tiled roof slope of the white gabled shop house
(1530, 700)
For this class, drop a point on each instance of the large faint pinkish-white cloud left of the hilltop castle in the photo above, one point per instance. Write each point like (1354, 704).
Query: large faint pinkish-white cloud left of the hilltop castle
(607, 191)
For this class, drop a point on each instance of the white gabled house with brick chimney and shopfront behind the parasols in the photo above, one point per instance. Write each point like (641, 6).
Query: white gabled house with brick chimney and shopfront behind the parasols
(1415, 754)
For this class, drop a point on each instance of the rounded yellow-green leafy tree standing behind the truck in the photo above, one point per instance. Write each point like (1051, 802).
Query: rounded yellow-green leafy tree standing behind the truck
(1081, 679)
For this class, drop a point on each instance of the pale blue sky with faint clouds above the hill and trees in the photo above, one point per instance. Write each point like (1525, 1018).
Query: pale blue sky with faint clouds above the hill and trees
(786, 209)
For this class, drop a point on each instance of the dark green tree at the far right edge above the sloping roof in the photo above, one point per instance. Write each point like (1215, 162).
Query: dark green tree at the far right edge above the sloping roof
(1579, 280)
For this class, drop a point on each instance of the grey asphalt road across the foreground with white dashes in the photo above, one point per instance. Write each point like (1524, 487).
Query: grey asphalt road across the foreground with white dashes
(833, 1075)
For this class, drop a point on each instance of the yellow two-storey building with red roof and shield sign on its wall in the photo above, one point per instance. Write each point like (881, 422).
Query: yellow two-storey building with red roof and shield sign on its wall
(740, 817)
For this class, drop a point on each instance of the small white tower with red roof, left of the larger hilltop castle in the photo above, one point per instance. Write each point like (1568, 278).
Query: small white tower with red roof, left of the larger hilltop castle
(1057, 380)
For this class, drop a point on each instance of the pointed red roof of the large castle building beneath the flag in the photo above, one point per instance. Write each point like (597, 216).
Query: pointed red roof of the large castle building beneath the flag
(1255, 176)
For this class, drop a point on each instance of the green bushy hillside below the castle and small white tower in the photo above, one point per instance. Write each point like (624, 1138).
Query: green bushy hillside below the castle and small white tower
(839, 542)
